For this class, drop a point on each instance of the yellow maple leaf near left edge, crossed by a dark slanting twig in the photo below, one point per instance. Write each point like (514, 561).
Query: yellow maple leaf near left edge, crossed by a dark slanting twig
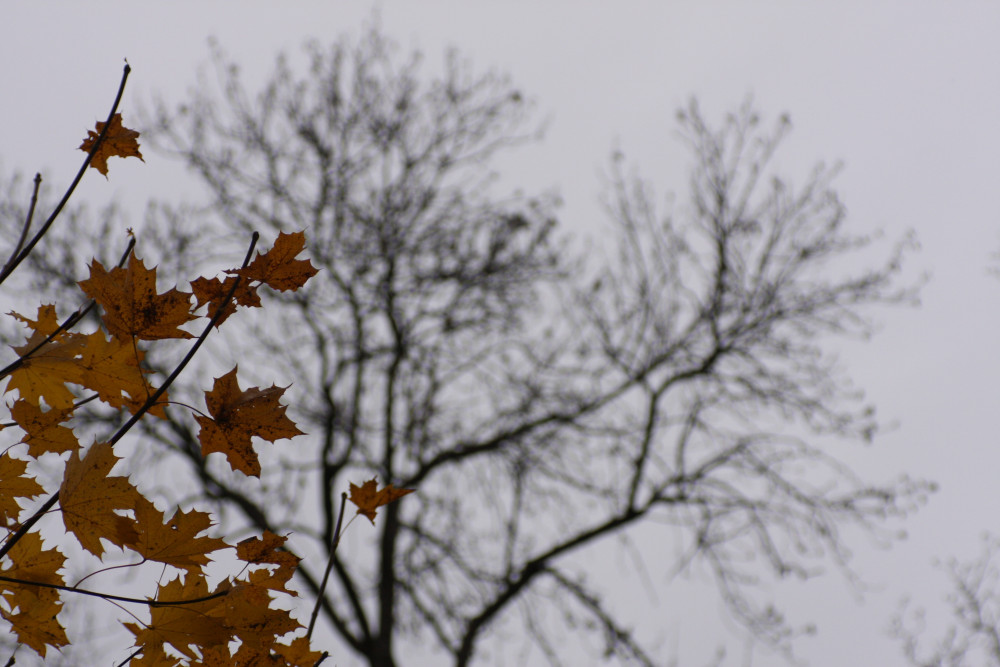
(45, 373)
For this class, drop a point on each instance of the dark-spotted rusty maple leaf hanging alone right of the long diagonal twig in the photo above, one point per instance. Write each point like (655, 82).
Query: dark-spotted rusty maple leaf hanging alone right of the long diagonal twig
(237, 416)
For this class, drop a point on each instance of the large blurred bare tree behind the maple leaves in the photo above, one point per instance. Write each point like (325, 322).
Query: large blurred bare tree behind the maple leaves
(540, 403)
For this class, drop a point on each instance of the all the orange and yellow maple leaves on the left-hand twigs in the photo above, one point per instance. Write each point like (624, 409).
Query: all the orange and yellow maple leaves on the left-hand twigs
(56, 369)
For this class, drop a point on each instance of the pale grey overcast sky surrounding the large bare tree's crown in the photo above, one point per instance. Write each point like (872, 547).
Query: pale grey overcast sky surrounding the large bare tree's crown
(907, 94)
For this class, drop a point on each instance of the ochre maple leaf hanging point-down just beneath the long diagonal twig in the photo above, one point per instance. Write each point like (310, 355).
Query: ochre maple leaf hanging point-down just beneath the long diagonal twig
(89, 497)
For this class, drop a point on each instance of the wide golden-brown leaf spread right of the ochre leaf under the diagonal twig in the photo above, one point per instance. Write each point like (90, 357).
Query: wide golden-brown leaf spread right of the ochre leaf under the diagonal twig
(175, 542)
